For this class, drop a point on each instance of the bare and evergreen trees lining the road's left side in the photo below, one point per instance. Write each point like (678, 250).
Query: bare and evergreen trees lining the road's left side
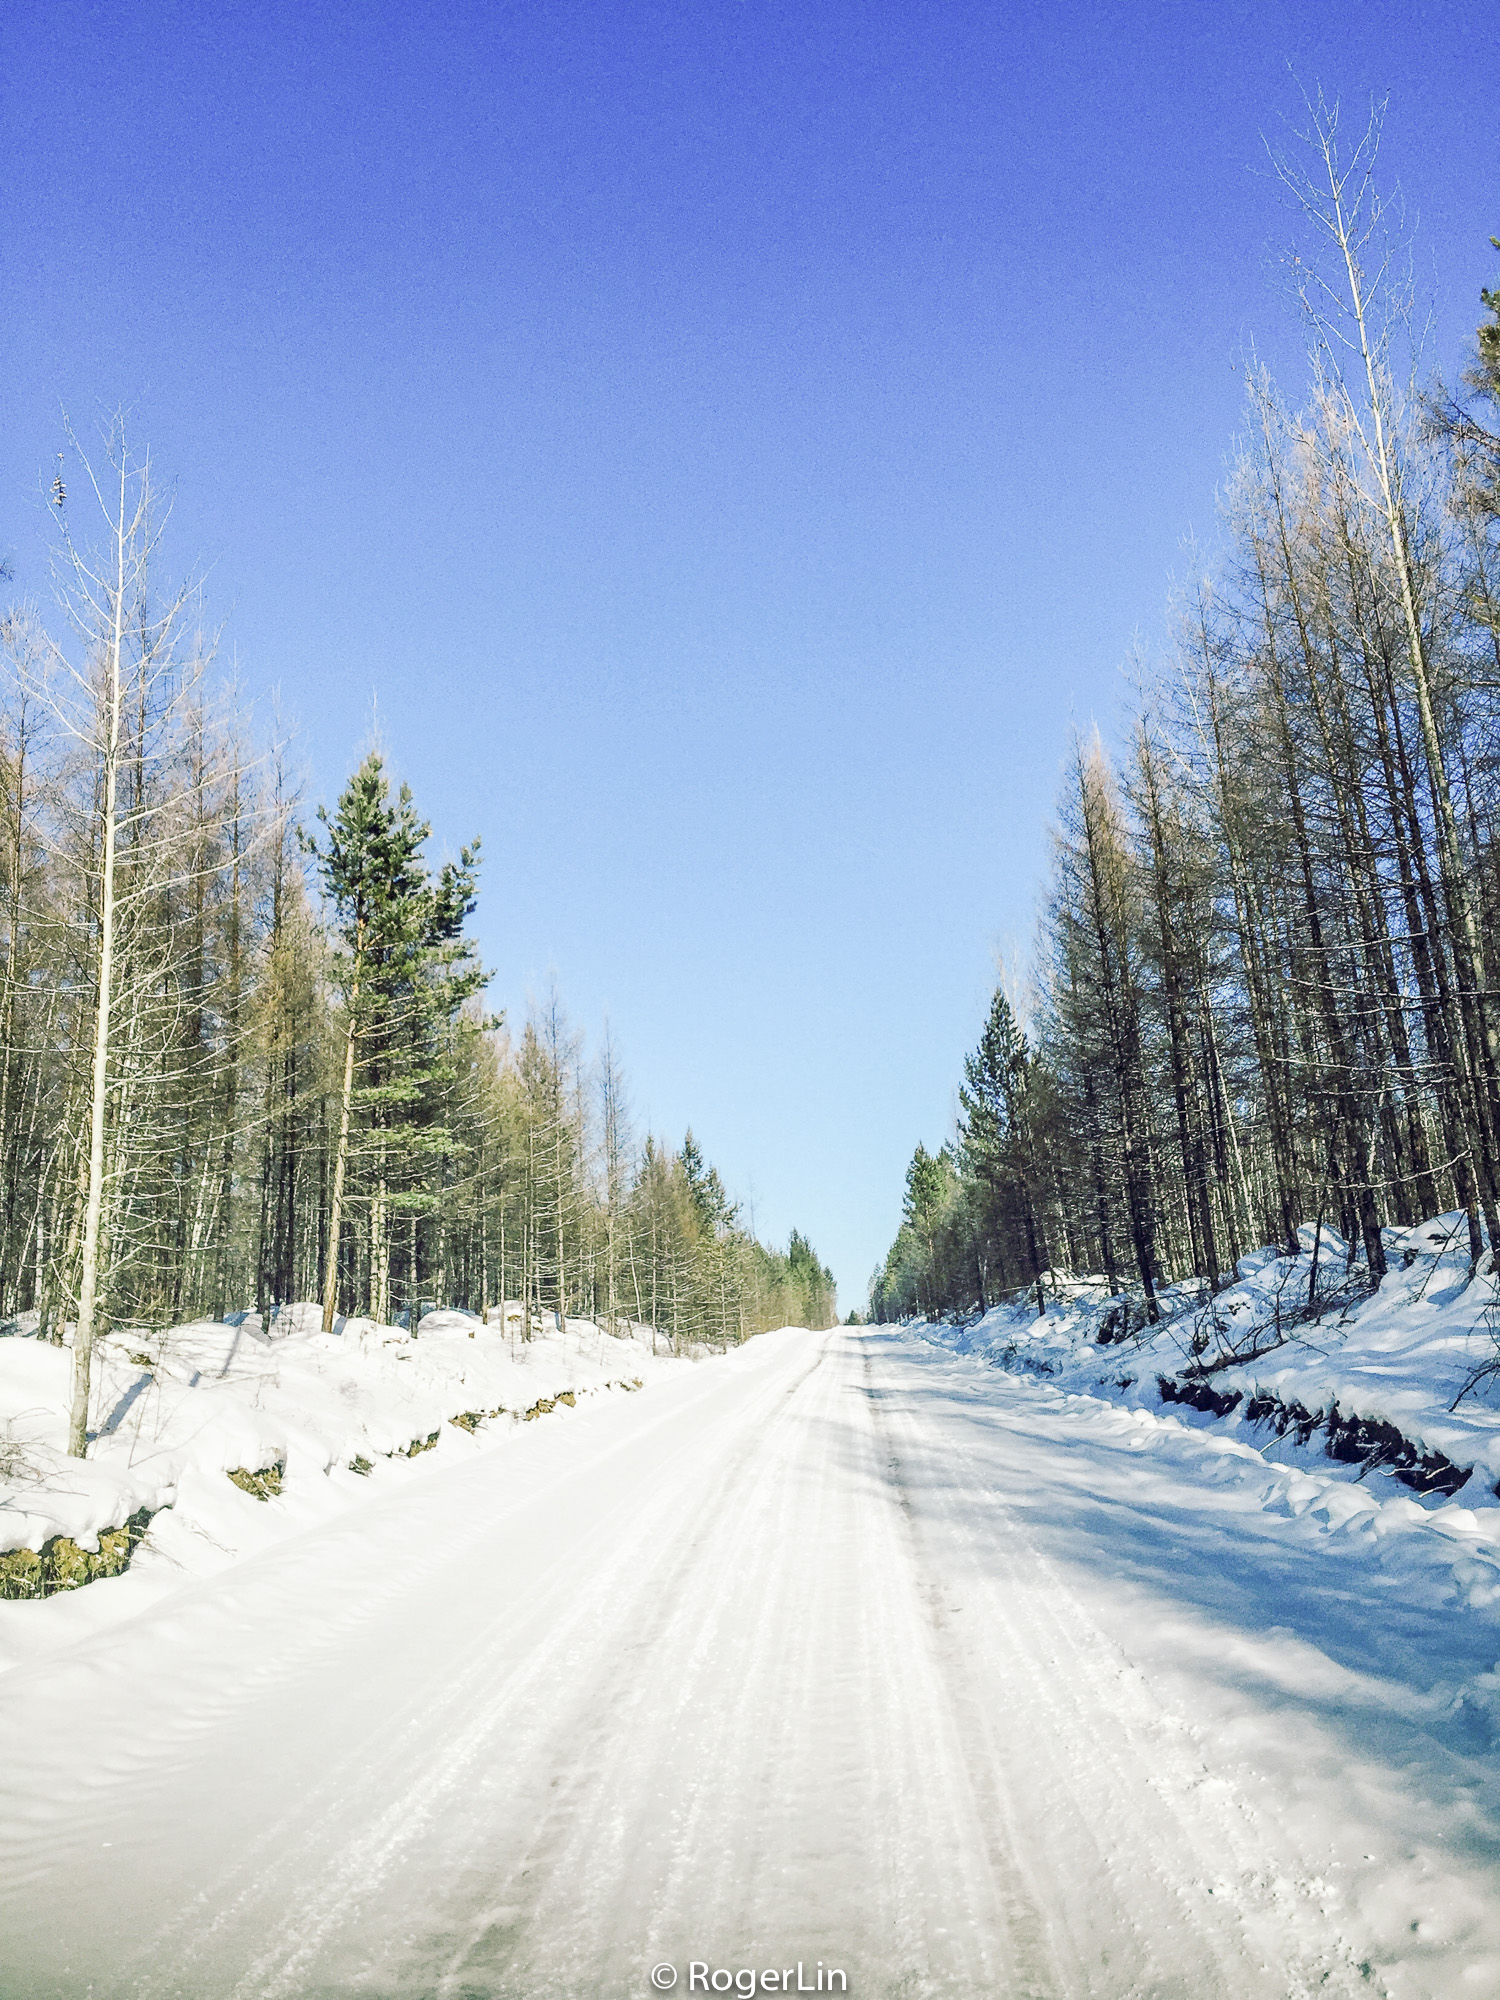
(245, 1055)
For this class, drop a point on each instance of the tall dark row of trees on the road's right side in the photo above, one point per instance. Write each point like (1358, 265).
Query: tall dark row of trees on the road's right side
(1267, 987)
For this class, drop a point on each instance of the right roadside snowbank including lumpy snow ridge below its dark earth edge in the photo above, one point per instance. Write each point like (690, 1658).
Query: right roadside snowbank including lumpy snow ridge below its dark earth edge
(1371, 1367)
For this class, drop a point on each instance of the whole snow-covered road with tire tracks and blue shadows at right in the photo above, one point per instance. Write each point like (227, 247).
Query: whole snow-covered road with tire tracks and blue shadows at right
(839, 1651)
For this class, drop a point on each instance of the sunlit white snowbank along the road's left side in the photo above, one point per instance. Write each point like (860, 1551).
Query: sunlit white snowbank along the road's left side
(333, 1417)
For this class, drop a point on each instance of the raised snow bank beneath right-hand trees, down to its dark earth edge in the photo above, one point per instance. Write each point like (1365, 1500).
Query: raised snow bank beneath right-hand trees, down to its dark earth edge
(1381, 1377)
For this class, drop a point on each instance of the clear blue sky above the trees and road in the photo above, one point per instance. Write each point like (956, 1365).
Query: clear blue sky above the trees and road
(733, 443)
